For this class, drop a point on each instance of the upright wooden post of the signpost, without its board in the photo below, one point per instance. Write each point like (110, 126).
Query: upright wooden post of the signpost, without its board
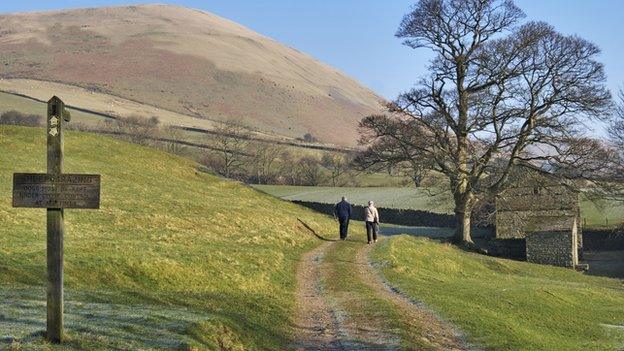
(56, 230)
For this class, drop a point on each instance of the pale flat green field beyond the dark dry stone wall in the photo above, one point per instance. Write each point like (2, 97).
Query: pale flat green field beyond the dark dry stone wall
(595, 214)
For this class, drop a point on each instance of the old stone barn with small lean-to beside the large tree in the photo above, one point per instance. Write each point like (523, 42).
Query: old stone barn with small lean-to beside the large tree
(540, 212)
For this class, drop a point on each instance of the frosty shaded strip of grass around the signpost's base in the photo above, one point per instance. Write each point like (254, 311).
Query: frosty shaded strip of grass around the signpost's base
(119, 326)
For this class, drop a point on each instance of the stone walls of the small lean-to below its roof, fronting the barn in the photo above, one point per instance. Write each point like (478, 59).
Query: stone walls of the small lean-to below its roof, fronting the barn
(554, 248)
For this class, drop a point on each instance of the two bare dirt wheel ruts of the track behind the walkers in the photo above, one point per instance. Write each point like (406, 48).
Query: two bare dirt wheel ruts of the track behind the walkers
(323, 324)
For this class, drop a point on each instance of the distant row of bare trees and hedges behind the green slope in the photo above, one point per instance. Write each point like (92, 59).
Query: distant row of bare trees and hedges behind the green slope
(230, 151)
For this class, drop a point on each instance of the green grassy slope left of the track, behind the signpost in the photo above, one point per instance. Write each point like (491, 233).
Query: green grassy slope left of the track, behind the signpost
(174, 257)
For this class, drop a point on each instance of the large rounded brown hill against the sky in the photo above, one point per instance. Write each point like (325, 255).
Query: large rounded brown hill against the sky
(191, 66)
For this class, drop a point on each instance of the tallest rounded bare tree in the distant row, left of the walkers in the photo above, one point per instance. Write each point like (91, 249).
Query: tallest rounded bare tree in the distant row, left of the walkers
(231, 140)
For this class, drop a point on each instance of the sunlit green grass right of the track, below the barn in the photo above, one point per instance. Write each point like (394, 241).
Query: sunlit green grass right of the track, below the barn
(507, 305)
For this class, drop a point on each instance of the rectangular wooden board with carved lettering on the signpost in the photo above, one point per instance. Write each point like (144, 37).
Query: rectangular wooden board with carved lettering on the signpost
(38, 190)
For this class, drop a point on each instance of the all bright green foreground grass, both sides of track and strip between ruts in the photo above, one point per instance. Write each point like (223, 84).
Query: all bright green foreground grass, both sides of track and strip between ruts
(179, 259)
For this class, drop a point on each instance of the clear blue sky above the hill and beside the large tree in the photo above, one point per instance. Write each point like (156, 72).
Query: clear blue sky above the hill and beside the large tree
(357, 36)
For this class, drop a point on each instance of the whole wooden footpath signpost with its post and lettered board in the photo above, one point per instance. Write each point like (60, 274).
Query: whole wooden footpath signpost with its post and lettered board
(55, 191)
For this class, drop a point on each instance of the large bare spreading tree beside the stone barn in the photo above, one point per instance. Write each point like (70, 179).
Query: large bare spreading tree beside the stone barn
(498, 93)
